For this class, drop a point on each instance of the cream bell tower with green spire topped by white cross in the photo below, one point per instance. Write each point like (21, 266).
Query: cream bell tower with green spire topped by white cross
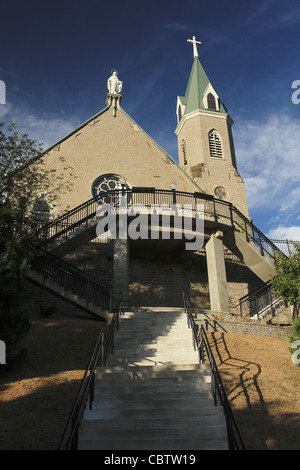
(205, 142)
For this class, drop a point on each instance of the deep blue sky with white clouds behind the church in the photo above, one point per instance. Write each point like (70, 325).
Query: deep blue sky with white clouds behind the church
(55, 58)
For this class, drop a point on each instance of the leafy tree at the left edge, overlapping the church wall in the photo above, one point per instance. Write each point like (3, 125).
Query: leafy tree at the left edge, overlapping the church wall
(25, 179)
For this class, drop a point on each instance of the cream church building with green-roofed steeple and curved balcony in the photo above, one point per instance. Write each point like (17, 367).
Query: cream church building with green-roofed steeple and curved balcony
(111, 156)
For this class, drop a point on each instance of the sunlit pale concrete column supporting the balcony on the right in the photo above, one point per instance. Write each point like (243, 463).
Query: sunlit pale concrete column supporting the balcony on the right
(219, 299)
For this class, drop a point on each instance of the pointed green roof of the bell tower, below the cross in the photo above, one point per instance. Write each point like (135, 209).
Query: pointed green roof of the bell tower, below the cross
(197, 84)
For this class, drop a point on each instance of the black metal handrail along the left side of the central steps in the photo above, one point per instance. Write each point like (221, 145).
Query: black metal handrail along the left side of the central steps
(85, 396)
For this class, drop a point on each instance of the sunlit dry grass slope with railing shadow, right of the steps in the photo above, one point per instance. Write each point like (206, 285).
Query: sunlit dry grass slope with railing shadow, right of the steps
(262, 384)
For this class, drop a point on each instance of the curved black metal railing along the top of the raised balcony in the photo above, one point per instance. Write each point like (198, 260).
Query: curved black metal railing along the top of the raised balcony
(199, 203)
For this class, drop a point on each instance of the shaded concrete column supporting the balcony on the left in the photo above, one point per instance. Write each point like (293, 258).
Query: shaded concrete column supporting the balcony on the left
(121, 269)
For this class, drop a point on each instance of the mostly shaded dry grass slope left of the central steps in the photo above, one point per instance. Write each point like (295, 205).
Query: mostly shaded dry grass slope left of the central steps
(37, 397)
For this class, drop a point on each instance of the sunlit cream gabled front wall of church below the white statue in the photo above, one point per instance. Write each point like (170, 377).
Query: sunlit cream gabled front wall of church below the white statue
(115, 145)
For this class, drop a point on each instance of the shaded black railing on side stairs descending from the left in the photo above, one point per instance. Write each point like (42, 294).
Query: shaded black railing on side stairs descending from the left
(69, 277)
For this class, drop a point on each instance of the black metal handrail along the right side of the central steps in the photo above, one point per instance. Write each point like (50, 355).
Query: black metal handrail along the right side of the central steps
(201, 343)
